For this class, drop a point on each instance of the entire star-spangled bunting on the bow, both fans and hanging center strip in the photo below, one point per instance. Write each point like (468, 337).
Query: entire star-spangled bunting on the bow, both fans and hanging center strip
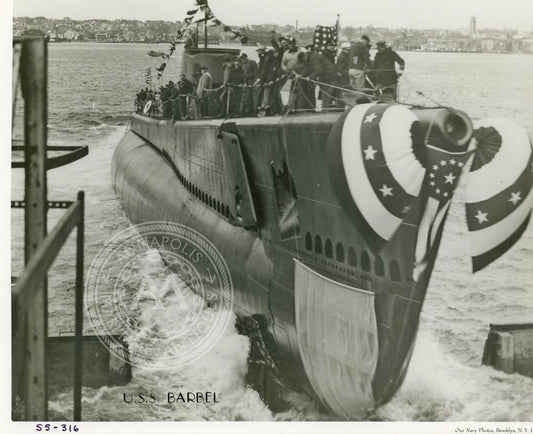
(387, 166)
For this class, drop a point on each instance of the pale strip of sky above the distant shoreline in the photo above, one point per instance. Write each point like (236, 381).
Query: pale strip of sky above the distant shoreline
(421, 14)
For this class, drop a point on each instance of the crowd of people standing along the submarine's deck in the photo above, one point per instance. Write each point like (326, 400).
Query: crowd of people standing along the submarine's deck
(252, 88)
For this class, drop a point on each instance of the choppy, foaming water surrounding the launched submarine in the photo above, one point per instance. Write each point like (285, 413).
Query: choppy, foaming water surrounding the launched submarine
(91, 92)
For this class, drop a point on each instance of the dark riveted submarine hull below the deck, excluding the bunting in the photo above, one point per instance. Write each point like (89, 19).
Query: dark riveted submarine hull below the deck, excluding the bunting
(338, 321)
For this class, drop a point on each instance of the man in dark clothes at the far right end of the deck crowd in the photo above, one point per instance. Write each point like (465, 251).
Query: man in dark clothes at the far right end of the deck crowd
(385, 73)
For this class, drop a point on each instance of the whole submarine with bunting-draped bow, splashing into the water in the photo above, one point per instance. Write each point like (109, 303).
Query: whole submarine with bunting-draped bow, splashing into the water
(330, 224)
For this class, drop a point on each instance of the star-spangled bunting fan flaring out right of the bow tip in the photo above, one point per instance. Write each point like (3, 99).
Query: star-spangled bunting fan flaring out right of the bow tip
(499, 189)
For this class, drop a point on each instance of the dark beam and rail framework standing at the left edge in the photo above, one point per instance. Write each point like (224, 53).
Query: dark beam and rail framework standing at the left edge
(29, 295)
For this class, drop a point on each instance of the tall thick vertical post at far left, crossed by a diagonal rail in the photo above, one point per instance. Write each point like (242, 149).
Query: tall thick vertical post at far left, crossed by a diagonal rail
(34, 91)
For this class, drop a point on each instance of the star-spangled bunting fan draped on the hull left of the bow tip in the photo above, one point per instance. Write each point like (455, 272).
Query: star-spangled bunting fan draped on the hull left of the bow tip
(383, 174)
